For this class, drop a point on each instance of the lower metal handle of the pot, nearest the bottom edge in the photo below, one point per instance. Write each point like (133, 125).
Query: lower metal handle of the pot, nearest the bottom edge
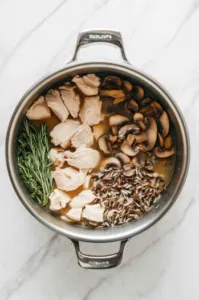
(99, 262)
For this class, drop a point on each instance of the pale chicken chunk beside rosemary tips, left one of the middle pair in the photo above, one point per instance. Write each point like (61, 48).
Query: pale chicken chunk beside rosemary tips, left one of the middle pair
(62, 133)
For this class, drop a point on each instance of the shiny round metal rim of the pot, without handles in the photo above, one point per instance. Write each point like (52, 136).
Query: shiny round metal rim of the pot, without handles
(100, 235)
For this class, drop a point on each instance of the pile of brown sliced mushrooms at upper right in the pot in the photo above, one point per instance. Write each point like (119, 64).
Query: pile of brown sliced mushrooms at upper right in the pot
(146, 129)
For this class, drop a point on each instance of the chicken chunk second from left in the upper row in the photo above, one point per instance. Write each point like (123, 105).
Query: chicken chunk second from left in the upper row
(54, 101)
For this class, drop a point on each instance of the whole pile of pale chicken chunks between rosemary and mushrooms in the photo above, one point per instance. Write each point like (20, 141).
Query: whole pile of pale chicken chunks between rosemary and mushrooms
(72, 168)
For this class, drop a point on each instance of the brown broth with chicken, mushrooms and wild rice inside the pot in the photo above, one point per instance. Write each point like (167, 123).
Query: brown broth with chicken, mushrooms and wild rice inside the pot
(111, 150)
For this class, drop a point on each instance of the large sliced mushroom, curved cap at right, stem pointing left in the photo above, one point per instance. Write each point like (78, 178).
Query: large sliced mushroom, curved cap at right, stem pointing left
(150, 135)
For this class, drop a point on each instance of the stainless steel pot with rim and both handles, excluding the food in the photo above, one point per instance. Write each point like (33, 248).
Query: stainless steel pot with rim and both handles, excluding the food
(119, 233)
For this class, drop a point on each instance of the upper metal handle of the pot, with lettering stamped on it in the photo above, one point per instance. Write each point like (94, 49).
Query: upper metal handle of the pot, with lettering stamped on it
(99, 36)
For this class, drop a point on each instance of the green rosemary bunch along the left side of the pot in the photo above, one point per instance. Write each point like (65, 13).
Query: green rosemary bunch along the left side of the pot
(33, 162)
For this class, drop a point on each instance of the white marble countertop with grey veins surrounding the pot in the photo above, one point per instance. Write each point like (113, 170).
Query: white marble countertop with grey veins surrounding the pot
(161, 39)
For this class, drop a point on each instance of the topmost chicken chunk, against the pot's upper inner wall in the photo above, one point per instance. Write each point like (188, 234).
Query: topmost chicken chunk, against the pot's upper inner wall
(87, 84)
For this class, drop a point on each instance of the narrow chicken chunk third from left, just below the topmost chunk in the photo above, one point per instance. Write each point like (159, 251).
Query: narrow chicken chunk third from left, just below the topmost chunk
(71, 99)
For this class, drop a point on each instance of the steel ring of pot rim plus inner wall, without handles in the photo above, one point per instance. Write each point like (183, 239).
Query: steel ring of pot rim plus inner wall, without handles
(118, 232)
